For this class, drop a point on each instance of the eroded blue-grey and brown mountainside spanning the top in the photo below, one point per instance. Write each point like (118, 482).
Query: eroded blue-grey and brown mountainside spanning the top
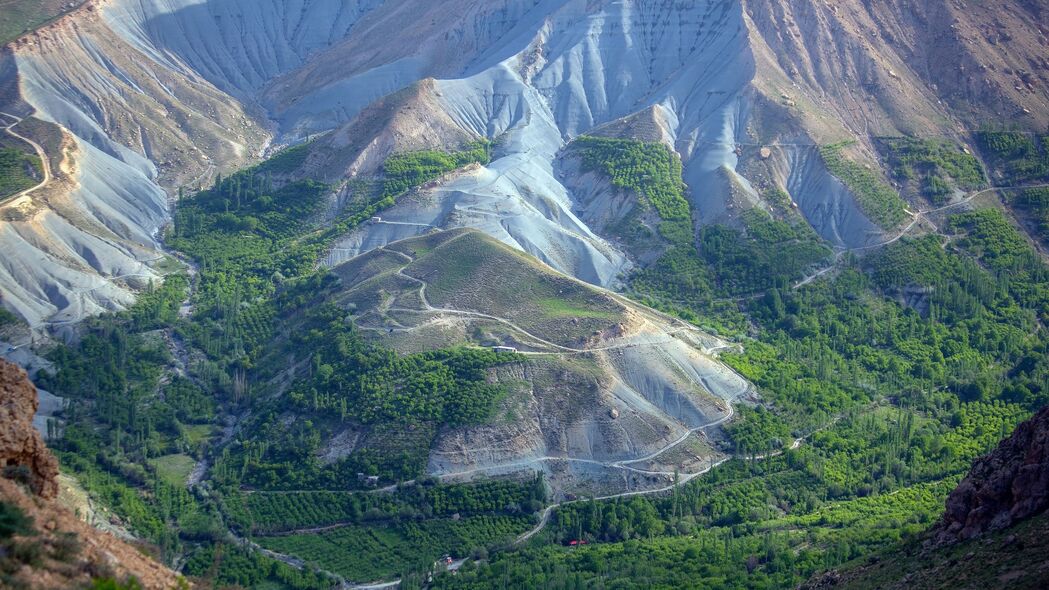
(157, 95)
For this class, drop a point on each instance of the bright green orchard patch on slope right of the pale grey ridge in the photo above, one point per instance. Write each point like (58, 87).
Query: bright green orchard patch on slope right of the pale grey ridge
(651, 171)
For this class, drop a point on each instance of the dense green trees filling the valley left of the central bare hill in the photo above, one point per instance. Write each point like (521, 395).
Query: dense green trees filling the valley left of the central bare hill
(259, 311)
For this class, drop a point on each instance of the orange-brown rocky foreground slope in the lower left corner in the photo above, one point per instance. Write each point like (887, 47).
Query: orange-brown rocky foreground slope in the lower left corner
(69, 553)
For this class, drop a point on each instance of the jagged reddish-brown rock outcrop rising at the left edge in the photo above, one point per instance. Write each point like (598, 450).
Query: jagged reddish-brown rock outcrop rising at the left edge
(22, 448)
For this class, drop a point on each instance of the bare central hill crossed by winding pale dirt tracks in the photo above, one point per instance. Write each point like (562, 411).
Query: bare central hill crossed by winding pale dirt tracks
(610, 395)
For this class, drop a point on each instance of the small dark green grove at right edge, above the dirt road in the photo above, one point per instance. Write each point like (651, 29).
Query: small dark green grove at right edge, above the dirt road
(1017, 157)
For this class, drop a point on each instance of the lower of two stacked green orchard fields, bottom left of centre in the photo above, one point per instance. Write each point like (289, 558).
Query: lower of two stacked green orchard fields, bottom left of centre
(379, 554)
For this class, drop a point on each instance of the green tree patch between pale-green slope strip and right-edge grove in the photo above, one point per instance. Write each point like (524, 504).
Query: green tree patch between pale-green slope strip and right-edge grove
(937, 167)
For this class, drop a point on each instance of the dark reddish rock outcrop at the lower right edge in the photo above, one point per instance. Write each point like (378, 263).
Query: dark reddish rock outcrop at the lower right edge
(1008, 487)
